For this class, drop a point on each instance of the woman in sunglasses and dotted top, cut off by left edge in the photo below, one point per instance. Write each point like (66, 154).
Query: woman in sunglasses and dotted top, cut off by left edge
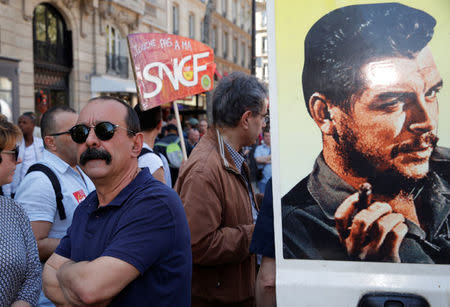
(20, 269)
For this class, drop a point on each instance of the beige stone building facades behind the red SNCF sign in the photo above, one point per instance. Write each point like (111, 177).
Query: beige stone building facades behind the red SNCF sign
(66, 51)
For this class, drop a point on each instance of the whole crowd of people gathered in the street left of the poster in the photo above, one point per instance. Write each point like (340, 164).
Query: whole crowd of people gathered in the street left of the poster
(102, 210)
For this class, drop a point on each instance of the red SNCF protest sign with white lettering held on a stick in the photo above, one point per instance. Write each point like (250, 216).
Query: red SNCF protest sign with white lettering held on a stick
(169, 67)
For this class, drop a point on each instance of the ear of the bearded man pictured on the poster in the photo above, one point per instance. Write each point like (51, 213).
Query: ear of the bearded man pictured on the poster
(319, 107)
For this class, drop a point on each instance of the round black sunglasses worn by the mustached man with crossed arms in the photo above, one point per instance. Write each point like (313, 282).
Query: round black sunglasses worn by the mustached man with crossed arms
(104, 131)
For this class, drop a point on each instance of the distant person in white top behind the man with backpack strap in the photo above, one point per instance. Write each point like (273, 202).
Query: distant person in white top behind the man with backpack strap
(30, 151)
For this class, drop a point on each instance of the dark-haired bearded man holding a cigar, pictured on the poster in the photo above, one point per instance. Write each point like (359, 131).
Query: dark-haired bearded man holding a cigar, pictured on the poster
(379, 190)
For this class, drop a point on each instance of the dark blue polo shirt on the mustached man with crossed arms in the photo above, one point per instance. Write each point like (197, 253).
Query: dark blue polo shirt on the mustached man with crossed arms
(145, 226)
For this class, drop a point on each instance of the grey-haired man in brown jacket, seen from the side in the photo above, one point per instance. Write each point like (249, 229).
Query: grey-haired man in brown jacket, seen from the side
(215, 189)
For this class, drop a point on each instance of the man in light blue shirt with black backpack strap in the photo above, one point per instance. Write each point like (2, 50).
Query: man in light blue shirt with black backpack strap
(36, 193)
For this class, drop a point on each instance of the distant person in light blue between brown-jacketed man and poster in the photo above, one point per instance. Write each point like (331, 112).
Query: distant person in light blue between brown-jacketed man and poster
(263, 160)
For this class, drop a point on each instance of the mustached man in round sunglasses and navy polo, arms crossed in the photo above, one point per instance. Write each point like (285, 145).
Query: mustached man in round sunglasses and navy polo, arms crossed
(129, 242)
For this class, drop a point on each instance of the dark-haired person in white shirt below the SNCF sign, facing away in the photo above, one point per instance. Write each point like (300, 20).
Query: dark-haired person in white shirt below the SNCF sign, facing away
(151, 123)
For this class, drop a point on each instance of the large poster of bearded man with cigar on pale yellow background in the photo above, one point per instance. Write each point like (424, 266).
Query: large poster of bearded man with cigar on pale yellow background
(363, 129)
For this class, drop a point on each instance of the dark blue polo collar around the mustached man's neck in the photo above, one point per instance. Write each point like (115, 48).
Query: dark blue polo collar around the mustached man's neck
(141, 180)
